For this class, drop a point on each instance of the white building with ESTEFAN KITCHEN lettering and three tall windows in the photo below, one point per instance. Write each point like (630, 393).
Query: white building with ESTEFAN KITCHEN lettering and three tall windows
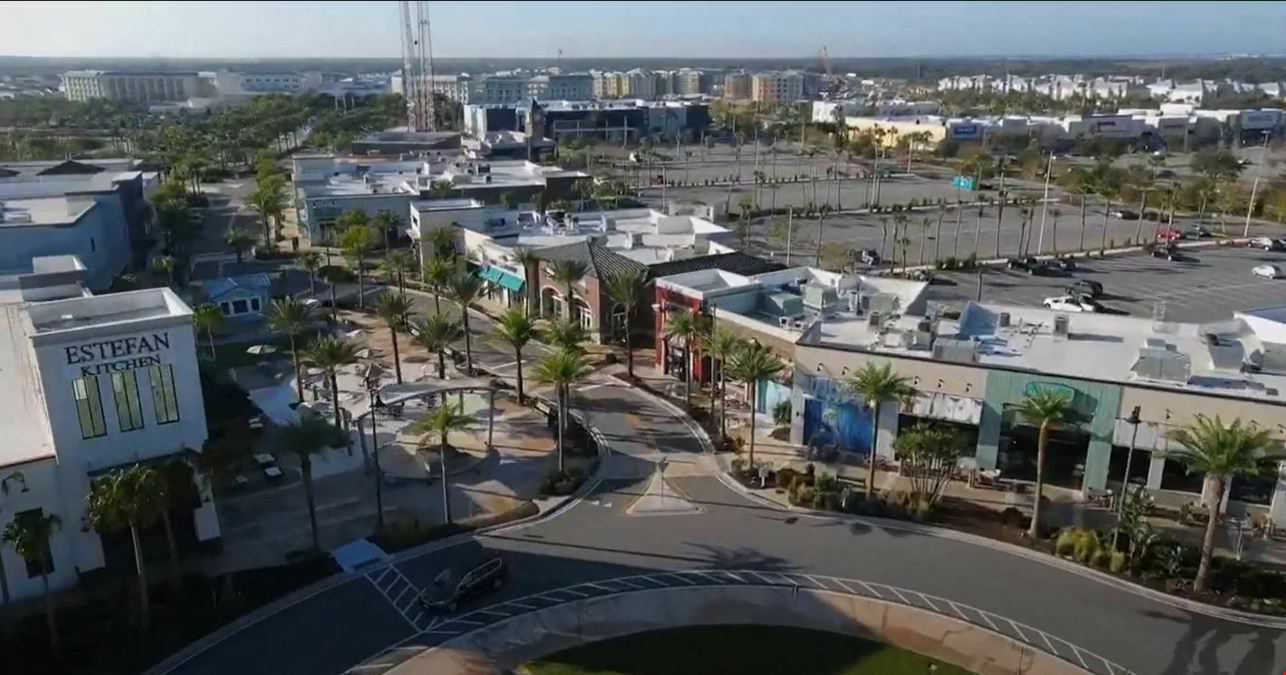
(93, 384)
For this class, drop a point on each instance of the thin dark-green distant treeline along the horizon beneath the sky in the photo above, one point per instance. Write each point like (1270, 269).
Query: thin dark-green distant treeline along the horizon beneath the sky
(1247, 69)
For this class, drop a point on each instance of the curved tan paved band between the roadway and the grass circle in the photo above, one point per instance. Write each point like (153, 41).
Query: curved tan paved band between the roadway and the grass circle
(541, 633)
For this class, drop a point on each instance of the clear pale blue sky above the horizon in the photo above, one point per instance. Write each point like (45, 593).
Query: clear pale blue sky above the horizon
(641, 29)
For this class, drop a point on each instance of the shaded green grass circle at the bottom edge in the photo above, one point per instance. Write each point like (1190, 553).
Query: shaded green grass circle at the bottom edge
(738, 650)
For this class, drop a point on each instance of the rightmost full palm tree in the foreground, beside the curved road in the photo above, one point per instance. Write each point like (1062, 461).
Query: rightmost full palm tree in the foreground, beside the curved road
(1222, 452)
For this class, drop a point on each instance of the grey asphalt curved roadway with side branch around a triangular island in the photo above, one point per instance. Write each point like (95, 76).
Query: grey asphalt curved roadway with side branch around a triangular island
(371, 623)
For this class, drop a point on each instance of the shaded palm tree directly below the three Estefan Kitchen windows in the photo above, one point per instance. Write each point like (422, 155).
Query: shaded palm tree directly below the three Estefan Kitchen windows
(129, 498)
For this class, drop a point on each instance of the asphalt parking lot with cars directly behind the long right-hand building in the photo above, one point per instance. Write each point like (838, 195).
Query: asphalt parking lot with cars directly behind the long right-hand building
(1209, 287)
